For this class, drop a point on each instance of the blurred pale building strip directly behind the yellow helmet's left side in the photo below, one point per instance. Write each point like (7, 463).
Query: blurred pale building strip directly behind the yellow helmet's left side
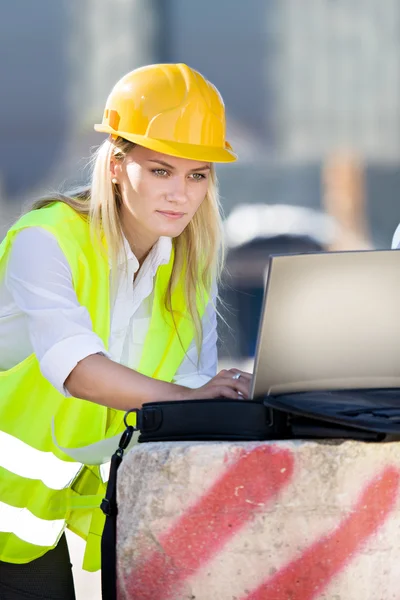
(108, 39)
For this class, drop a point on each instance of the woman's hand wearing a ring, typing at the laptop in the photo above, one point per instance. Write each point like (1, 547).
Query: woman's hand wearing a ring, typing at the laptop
(226, 384)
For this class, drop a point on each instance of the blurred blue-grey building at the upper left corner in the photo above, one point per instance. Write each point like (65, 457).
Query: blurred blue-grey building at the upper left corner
(35, 75)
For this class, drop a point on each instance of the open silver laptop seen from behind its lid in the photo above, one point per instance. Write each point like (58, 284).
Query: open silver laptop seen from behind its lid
(329, 321)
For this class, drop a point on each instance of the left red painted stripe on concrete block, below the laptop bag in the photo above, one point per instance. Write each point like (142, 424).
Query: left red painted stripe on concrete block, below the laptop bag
(206, 527)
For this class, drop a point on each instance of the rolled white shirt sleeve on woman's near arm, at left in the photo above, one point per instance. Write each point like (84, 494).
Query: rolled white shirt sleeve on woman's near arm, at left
(39, 279)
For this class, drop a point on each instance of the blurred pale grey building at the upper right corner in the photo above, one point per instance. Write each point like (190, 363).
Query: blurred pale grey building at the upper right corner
(336, 71)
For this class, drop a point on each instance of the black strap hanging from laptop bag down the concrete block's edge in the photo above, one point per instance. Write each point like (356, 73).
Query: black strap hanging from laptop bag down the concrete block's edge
(110, 509)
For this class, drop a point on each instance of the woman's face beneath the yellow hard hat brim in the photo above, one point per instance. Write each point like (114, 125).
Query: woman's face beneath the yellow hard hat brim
(160, 193)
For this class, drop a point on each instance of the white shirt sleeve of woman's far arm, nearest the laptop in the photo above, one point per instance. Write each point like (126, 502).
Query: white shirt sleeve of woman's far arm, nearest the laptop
(193, 372)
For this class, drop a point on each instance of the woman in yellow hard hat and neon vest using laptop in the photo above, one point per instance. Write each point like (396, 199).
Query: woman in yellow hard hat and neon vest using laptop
(107, 300)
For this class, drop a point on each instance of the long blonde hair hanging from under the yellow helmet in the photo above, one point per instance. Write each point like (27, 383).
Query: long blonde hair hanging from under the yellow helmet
(198, 249)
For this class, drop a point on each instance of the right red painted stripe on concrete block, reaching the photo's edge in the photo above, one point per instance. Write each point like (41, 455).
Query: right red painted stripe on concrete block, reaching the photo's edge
(306, 577)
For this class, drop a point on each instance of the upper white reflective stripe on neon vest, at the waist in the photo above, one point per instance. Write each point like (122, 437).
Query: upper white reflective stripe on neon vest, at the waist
(23, 460)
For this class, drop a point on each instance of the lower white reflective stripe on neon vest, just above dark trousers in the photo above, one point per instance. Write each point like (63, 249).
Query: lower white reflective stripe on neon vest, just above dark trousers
(29, 528)
